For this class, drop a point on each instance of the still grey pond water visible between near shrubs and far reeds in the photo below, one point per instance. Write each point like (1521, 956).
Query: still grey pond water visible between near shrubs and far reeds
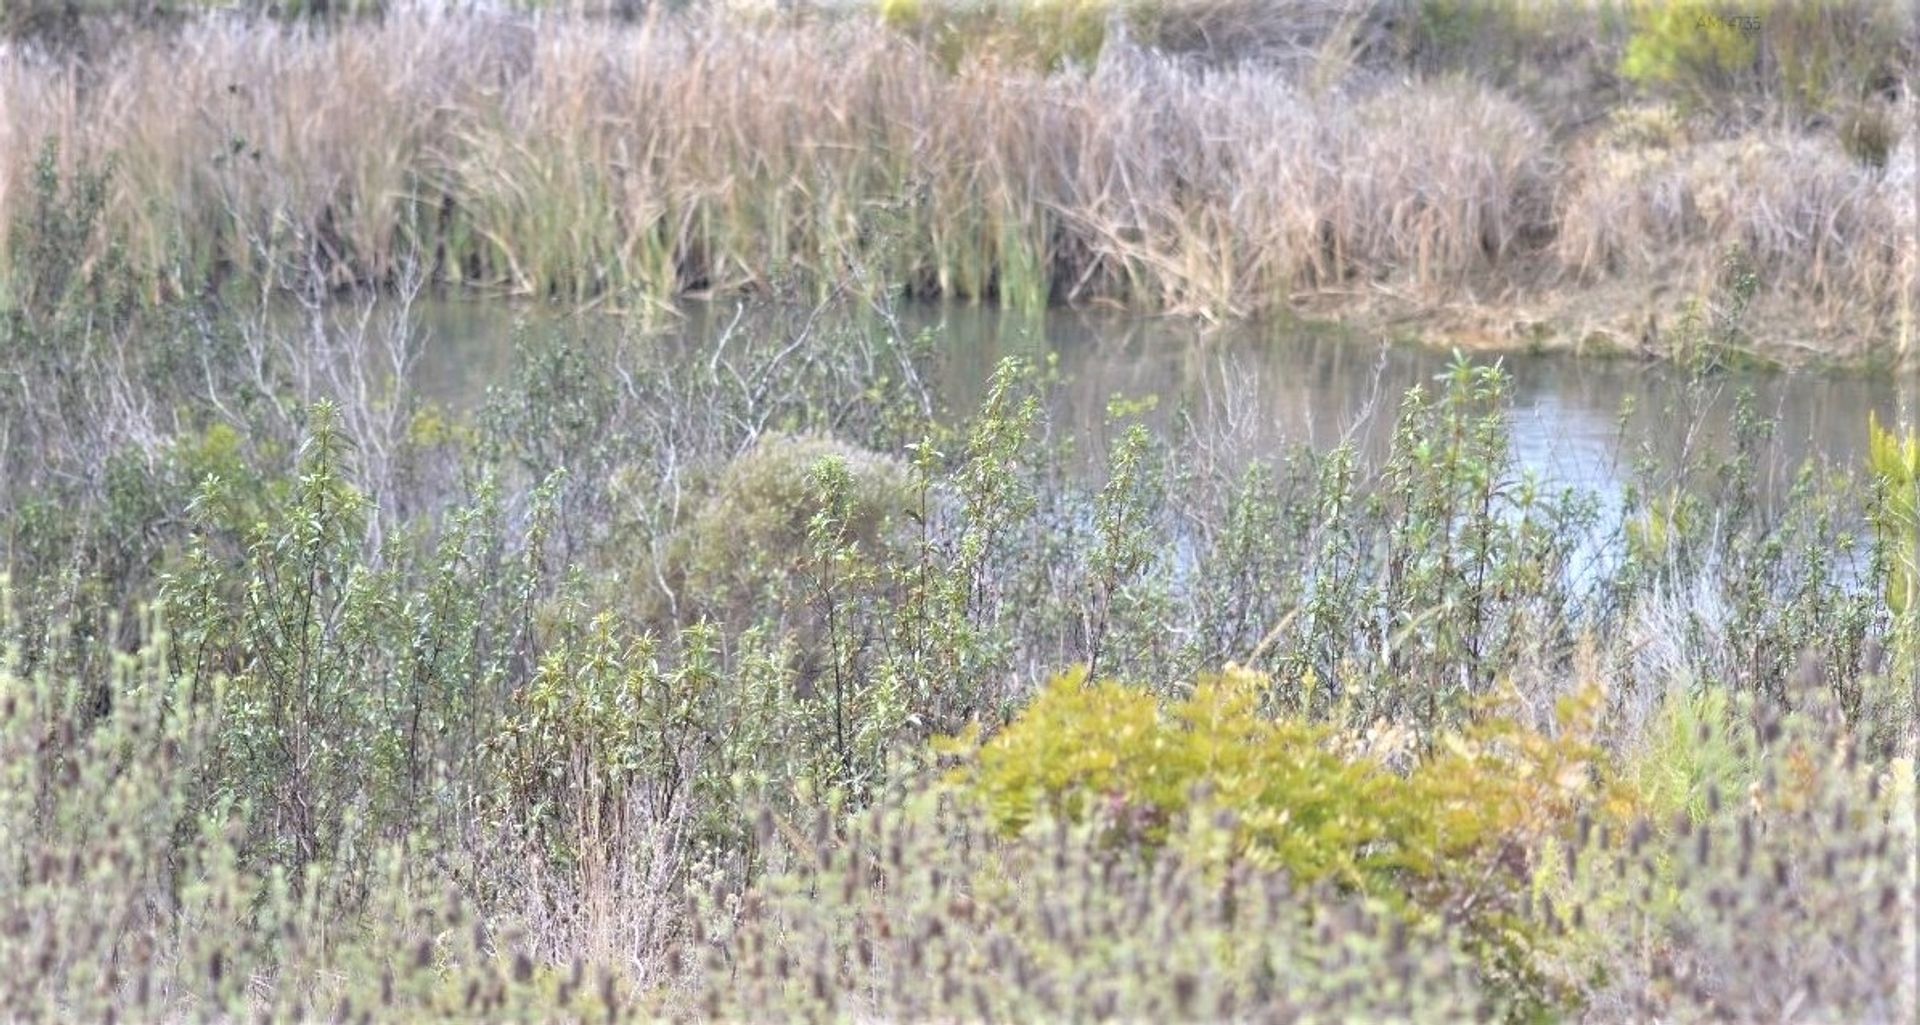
(1575, 421)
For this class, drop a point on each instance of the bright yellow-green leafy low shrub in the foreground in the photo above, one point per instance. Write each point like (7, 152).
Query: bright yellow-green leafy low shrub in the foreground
(1443, 838)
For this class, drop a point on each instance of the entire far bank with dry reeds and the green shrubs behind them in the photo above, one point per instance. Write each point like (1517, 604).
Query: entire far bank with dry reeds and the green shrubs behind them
(1483, 172)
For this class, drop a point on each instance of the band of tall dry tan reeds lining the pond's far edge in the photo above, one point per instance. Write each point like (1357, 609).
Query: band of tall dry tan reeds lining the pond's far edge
(723, 153)
